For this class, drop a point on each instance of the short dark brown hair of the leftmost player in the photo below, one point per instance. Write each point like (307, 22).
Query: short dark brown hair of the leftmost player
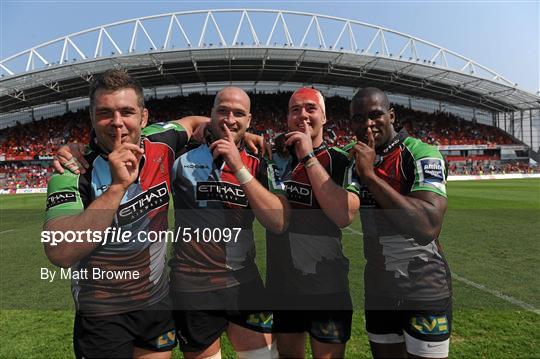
(113, 80)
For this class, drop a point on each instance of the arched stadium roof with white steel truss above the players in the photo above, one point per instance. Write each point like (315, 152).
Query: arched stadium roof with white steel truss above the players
(232, 45)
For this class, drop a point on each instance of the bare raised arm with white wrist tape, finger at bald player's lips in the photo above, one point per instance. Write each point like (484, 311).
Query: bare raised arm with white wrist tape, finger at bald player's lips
(270, 209)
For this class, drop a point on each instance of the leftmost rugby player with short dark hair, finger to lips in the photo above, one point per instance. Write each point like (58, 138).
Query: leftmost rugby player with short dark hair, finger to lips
(127, 188)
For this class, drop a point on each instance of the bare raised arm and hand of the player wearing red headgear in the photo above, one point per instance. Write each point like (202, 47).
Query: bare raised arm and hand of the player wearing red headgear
(337, 203)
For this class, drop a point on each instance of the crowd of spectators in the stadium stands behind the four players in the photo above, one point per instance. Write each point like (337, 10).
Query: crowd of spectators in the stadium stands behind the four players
(38, 140)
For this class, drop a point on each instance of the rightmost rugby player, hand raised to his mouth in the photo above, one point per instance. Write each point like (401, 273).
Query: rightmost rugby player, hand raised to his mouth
(407, 280)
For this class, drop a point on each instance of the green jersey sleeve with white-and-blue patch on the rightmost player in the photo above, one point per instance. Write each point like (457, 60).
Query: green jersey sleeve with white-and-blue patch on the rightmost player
(428, 167)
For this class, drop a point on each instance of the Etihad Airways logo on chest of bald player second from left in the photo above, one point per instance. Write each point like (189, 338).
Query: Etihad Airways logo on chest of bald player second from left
(221, 191)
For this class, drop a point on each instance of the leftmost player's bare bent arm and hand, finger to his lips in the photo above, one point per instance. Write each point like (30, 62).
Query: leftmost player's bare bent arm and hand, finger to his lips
(124, 164)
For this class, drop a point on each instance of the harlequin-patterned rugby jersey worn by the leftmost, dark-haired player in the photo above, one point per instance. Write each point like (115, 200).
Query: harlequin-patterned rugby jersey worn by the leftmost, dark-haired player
(143, 208)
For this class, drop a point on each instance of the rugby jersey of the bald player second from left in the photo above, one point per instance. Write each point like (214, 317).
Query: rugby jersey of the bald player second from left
(208, 201)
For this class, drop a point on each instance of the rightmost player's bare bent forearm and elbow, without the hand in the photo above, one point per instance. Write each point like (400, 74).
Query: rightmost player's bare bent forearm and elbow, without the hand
(419, 214)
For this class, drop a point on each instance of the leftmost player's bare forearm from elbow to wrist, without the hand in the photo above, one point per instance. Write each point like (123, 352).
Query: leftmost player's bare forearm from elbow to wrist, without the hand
(96, 217)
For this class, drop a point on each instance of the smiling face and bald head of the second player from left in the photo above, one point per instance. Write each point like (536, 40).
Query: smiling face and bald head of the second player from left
(231, 109)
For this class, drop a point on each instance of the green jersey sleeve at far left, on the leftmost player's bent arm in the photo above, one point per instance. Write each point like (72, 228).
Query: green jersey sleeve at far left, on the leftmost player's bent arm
(65, 196)
